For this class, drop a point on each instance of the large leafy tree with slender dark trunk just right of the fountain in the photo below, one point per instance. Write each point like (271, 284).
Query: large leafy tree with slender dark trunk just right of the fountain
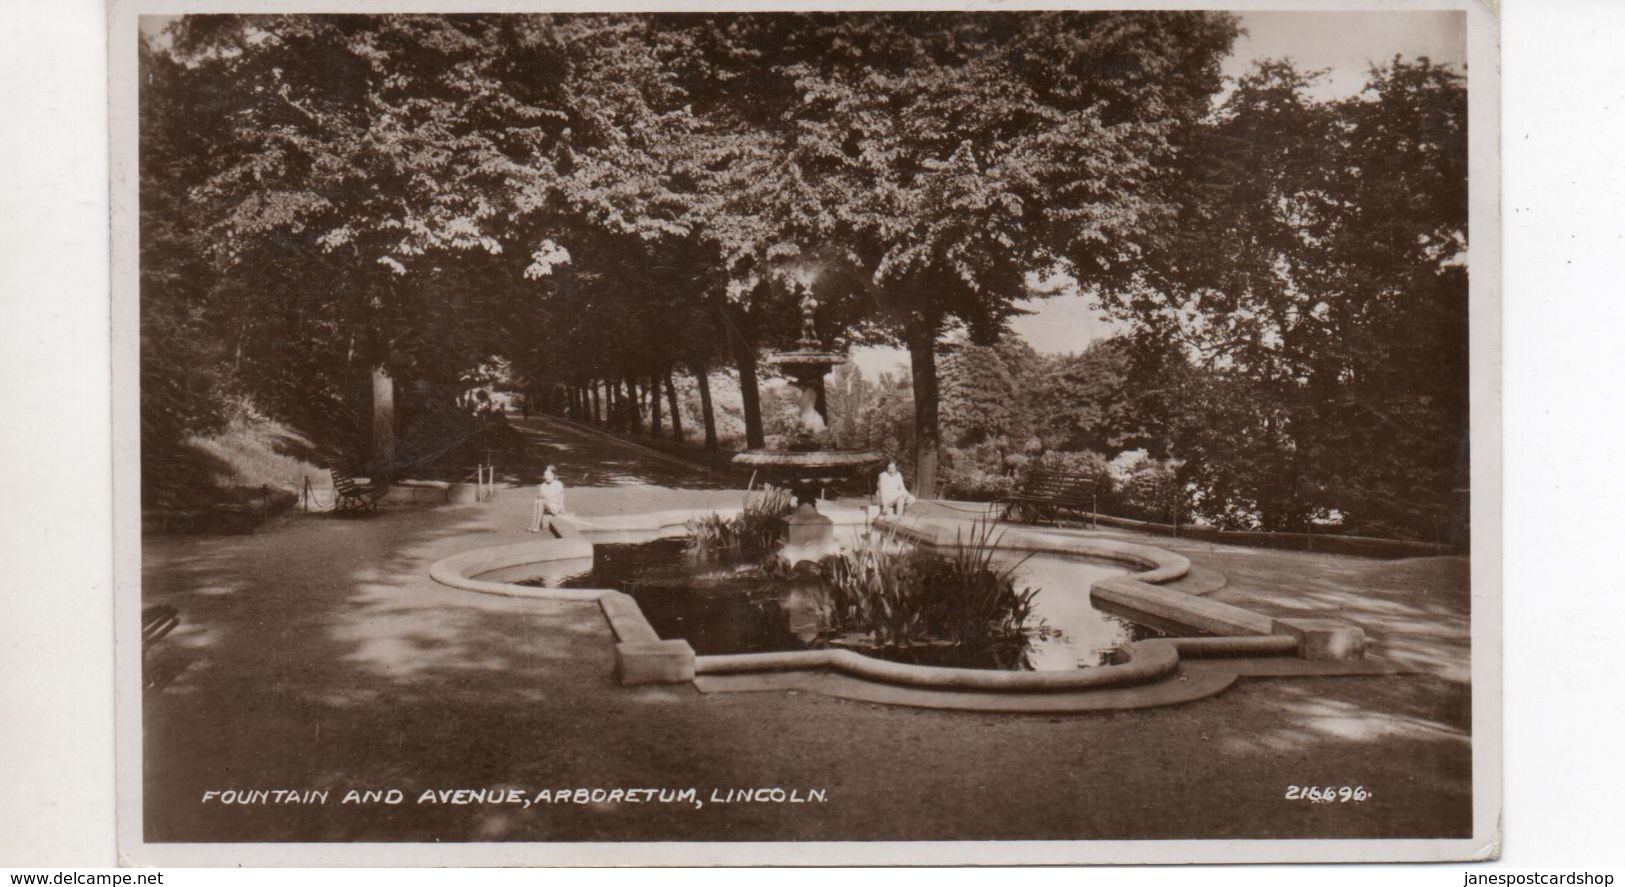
(953, 155)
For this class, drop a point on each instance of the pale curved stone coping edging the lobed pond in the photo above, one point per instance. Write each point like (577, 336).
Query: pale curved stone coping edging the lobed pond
(646, 659)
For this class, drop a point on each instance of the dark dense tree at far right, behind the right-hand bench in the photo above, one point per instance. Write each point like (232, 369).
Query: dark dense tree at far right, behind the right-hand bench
(1319, 285)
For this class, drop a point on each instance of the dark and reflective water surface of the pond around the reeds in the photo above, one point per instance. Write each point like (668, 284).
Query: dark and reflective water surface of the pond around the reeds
(739, 608)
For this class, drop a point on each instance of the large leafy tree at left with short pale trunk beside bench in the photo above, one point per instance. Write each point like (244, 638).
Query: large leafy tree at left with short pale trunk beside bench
(347, 155)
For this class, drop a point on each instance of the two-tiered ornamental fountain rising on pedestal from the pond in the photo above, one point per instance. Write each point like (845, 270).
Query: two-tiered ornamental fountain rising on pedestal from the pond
(807, 465)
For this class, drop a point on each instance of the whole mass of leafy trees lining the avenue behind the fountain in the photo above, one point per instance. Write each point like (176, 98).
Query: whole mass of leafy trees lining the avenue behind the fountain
(340, 212)
